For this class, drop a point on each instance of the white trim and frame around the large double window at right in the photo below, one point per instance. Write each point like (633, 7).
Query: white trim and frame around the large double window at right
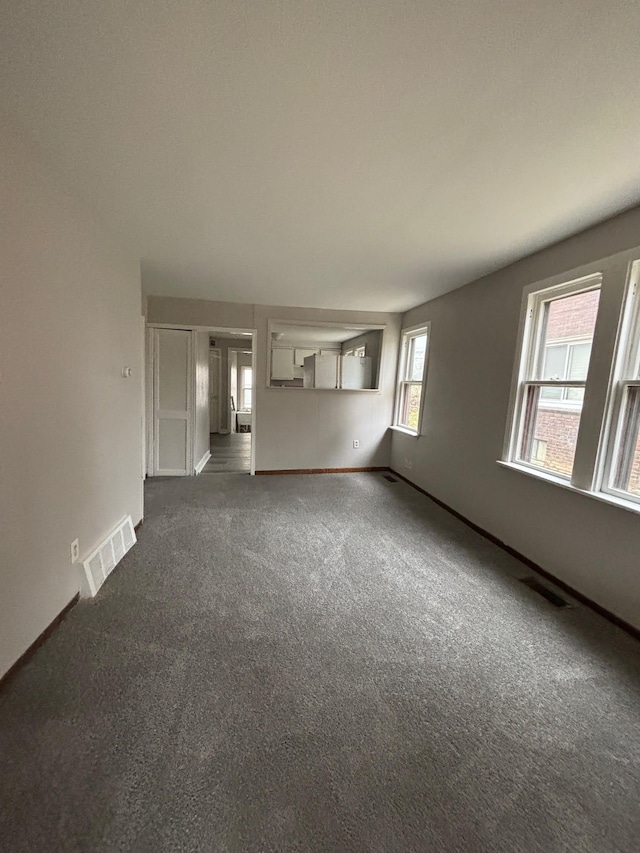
(594, 455)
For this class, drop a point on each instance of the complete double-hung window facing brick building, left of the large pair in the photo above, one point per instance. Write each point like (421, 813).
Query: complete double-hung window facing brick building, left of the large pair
(555, 361)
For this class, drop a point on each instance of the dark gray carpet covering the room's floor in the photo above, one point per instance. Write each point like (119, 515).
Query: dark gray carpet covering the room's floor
(324, 663)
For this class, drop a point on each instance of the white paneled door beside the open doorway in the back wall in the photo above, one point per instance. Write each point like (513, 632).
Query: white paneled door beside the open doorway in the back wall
(172, 402)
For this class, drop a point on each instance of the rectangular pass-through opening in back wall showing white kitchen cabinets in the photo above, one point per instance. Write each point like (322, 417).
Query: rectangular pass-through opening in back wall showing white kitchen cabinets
(328, 356)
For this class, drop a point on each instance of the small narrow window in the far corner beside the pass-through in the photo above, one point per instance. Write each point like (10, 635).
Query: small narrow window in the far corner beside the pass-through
(411, 376)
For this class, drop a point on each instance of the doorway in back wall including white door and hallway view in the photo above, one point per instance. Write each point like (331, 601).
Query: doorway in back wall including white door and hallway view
(201, 410)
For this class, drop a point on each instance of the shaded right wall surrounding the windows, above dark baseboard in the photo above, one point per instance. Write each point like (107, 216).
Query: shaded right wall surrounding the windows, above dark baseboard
(590, 545)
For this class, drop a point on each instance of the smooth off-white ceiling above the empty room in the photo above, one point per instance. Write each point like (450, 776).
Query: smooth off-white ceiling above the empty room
(341, 154)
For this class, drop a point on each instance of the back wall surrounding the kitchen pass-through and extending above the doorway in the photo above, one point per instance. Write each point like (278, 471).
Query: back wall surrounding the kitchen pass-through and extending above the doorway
(299, 428)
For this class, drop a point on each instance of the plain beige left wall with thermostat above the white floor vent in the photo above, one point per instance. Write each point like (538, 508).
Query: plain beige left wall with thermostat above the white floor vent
(70, 425)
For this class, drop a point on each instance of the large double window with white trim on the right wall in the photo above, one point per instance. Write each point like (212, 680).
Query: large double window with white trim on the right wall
(575, 409)
